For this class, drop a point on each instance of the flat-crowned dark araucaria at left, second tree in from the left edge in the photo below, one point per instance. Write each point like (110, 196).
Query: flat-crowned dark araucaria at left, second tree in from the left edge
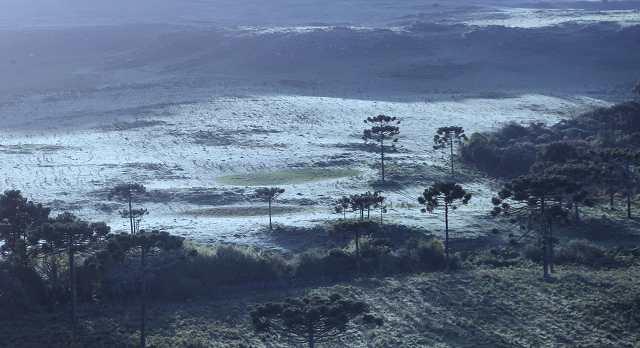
(68, 234)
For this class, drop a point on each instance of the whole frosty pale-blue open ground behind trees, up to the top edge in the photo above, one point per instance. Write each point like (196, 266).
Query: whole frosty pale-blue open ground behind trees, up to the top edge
(168, 99)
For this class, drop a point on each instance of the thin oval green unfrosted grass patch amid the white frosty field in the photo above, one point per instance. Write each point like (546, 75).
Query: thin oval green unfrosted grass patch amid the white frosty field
(295, 176)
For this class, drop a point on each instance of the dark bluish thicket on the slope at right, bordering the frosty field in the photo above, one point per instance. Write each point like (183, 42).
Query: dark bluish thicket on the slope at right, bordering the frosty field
(512, 150)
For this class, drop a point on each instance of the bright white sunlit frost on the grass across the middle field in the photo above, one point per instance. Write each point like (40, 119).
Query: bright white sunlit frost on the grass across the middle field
(292, 130)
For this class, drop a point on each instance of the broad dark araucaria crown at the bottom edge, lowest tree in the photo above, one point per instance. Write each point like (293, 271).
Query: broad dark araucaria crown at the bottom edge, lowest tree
(312, 320)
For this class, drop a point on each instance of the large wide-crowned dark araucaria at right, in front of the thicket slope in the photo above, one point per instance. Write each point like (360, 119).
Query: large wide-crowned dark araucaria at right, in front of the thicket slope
(532, 196)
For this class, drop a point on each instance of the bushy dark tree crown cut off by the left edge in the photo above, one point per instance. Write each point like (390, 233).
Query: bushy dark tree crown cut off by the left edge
(17, 218)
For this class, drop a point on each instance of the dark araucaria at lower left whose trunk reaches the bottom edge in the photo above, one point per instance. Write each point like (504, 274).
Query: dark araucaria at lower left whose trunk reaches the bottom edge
(138, 256)
